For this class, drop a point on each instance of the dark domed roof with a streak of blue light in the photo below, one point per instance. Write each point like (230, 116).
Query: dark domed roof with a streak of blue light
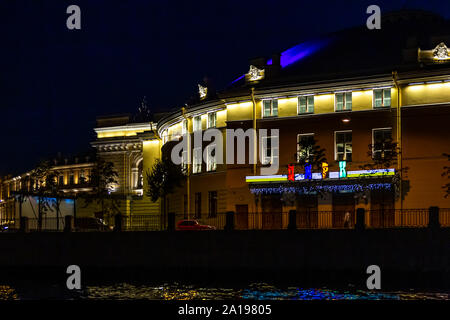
(357, 51)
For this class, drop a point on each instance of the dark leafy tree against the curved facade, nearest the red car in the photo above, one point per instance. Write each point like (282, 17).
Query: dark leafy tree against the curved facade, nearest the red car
(162, 180)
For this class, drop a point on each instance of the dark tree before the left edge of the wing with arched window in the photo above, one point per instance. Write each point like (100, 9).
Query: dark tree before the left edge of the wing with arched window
(102, 180)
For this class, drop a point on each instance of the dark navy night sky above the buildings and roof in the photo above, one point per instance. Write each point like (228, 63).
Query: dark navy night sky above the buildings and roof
(55, 81)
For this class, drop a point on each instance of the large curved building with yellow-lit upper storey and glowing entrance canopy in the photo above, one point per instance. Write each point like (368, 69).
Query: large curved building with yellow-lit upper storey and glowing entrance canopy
(347, 91)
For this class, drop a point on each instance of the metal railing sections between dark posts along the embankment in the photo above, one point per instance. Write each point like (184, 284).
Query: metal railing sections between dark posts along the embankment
(304, 219)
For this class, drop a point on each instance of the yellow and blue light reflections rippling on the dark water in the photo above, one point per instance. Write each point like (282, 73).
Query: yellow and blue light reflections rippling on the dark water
(175, 291)
